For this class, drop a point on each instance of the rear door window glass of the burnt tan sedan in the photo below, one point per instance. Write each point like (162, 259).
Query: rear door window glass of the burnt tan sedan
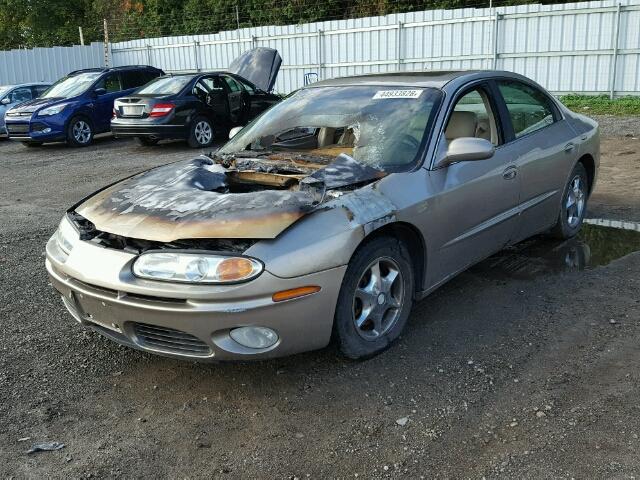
(529, 108)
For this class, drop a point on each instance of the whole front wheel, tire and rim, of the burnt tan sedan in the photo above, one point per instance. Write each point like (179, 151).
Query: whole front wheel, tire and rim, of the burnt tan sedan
(375, 298)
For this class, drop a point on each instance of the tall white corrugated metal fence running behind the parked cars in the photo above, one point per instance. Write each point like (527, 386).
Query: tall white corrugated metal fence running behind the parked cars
(587, 47)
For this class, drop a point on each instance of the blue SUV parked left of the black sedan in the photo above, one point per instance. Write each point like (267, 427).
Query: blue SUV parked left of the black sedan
(76, 107)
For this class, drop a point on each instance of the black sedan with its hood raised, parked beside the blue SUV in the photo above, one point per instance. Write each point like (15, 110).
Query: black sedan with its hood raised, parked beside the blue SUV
(198, 107)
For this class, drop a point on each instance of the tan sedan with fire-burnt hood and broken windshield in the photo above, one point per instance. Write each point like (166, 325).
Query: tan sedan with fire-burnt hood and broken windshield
(331, 213)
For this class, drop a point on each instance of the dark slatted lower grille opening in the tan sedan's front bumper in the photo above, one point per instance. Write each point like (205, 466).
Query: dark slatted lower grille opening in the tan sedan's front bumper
(170, 340)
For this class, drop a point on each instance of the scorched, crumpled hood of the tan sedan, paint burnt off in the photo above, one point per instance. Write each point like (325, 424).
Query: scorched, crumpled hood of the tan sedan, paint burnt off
(222, 198)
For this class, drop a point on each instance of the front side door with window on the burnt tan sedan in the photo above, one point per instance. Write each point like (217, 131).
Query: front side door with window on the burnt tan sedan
(475, 209)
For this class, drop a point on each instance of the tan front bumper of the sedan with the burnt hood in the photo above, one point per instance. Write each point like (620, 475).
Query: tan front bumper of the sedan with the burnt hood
(189, 321)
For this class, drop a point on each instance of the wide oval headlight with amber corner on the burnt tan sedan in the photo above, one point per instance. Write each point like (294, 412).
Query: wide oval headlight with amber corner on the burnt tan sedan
(195, 267)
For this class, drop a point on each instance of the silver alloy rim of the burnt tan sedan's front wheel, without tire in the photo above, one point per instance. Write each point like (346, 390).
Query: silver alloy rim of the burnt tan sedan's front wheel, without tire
(378, 299)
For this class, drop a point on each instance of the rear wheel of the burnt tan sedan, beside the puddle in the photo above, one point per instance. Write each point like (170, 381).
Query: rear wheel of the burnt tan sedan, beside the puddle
(574, 204)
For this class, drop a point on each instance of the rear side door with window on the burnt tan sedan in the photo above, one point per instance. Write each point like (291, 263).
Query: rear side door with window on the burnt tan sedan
(542, 140)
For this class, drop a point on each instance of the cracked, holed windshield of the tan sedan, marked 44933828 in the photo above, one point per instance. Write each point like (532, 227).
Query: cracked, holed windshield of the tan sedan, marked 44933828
(377, 126)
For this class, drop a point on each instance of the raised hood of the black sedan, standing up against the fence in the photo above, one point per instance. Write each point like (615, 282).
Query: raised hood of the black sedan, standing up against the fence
(259, 65)
